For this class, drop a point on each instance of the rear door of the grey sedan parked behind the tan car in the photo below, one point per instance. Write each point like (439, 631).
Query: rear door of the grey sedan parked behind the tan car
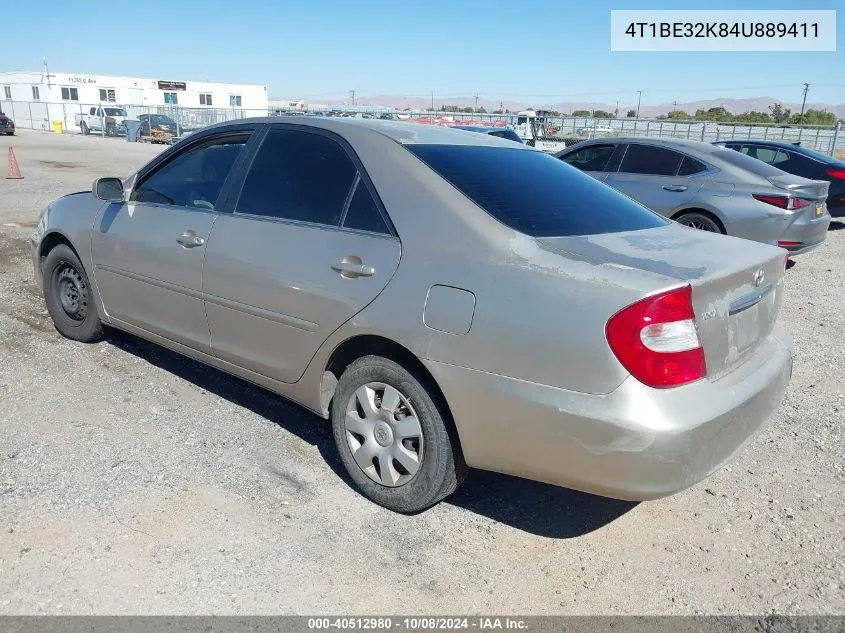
(660, 178)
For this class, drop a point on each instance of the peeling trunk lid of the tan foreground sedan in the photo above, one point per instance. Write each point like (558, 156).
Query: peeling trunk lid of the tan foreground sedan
(736, 284)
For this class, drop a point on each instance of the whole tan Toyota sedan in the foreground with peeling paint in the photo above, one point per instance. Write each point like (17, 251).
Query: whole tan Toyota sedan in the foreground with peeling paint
(537, 323)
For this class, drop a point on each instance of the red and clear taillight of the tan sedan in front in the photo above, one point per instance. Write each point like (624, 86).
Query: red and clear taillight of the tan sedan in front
(656, 341)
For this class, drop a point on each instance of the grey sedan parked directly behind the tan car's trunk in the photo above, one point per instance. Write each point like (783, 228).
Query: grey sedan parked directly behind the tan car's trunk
(710, 188)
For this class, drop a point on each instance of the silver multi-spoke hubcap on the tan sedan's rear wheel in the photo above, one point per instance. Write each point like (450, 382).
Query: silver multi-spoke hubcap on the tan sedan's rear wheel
(384, 434)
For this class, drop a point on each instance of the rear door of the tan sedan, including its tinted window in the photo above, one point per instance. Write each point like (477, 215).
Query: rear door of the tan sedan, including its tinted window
(307, 247)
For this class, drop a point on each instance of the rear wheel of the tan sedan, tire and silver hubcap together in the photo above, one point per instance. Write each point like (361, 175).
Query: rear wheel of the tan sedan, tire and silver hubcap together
(428, 445)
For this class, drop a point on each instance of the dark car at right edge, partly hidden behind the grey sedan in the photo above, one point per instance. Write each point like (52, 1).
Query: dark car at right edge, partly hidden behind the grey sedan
(801, 161)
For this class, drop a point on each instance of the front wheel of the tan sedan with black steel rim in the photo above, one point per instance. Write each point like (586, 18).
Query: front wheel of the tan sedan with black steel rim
(69, 296)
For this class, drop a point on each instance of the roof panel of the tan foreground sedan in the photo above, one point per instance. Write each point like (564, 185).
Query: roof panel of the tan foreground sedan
(403, 132)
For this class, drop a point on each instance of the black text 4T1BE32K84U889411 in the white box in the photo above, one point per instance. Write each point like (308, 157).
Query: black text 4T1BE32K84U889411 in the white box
(722, 29)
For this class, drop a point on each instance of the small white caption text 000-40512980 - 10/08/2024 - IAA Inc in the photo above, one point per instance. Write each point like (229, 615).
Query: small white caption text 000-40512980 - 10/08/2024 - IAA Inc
(417, 623)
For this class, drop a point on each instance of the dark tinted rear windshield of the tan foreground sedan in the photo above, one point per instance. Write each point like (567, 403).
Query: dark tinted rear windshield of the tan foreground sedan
(535, 193)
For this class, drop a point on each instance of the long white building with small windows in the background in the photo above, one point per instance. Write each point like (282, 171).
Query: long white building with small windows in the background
(34, 99)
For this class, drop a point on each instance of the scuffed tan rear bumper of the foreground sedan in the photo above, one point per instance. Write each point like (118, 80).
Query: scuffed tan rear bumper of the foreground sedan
(635, 443)
